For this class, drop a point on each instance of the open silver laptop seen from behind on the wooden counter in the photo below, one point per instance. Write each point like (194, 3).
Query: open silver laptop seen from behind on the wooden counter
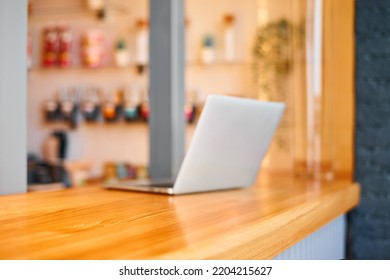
(230, 140)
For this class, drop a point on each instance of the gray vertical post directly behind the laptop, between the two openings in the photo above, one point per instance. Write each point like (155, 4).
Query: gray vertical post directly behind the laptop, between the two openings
(167, 122)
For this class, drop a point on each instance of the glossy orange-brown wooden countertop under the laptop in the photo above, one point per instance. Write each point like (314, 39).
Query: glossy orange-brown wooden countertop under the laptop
(94, 223)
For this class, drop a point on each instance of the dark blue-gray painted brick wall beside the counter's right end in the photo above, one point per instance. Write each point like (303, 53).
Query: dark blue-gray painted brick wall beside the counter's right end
(370, 223)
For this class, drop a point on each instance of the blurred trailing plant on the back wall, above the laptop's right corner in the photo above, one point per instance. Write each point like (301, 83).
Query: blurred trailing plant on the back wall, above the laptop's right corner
(272, 65)
